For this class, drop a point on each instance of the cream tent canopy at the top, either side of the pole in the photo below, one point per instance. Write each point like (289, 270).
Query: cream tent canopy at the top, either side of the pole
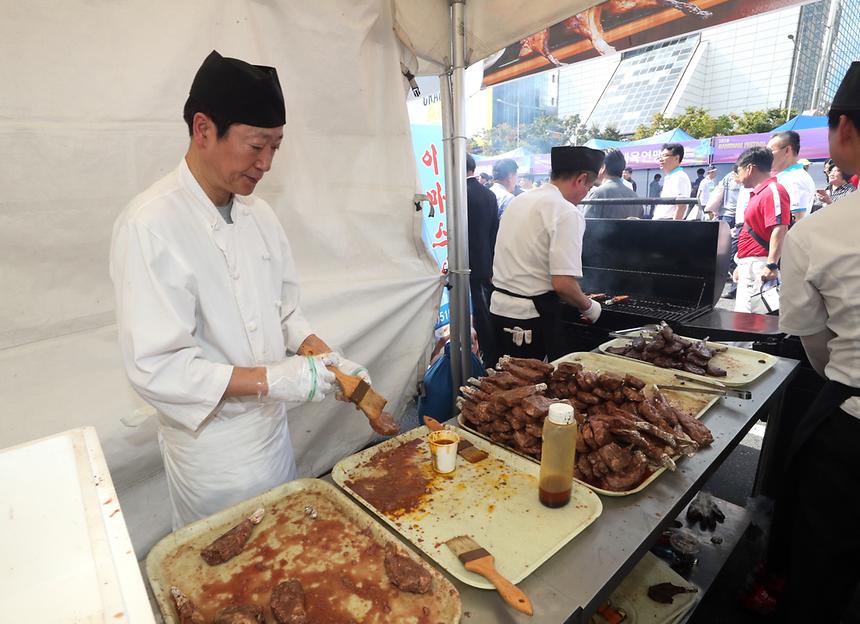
(490, 26)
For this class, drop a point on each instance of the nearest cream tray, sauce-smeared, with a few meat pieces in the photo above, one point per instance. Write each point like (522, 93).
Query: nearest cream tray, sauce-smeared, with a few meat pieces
(338, 554)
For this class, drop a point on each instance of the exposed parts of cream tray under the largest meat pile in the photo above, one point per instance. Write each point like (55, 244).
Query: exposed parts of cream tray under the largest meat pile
(693, 403)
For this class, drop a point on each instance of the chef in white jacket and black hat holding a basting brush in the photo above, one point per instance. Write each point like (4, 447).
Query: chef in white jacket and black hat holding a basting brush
(207, 301)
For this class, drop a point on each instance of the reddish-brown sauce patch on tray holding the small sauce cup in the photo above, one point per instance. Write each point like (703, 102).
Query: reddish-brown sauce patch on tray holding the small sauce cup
(399, 480)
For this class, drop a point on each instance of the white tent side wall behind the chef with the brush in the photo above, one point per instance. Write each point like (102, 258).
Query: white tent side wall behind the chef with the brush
(90, 115)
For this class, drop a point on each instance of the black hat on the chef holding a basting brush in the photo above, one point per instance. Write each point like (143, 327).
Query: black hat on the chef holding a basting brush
(239, 92)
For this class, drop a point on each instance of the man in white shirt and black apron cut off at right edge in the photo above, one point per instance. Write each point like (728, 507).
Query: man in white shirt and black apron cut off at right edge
(816, 517)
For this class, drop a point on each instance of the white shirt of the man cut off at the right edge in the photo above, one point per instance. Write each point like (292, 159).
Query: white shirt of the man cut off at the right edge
(820, 272)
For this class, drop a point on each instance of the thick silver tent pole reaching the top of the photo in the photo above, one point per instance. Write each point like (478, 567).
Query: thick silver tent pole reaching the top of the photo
(458, 222)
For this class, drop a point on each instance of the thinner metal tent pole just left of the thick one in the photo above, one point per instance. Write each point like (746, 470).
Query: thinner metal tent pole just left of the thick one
(445, 97)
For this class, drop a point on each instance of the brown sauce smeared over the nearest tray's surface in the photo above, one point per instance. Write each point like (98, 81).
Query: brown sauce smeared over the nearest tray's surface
(339, 565)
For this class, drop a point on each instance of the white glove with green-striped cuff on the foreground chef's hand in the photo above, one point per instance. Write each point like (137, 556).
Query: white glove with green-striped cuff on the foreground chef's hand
(302, 378)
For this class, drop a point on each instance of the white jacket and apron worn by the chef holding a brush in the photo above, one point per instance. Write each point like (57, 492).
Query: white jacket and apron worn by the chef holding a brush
(195, 297)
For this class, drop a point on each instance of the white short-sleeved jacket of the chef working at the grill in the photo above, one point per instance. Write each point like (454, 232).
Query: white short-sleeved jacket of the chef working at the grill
(540, 235)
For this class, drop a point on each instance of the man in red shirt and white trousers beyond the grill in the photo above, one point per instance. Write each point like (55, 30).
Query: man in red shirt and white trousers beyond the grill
(766, 221)
